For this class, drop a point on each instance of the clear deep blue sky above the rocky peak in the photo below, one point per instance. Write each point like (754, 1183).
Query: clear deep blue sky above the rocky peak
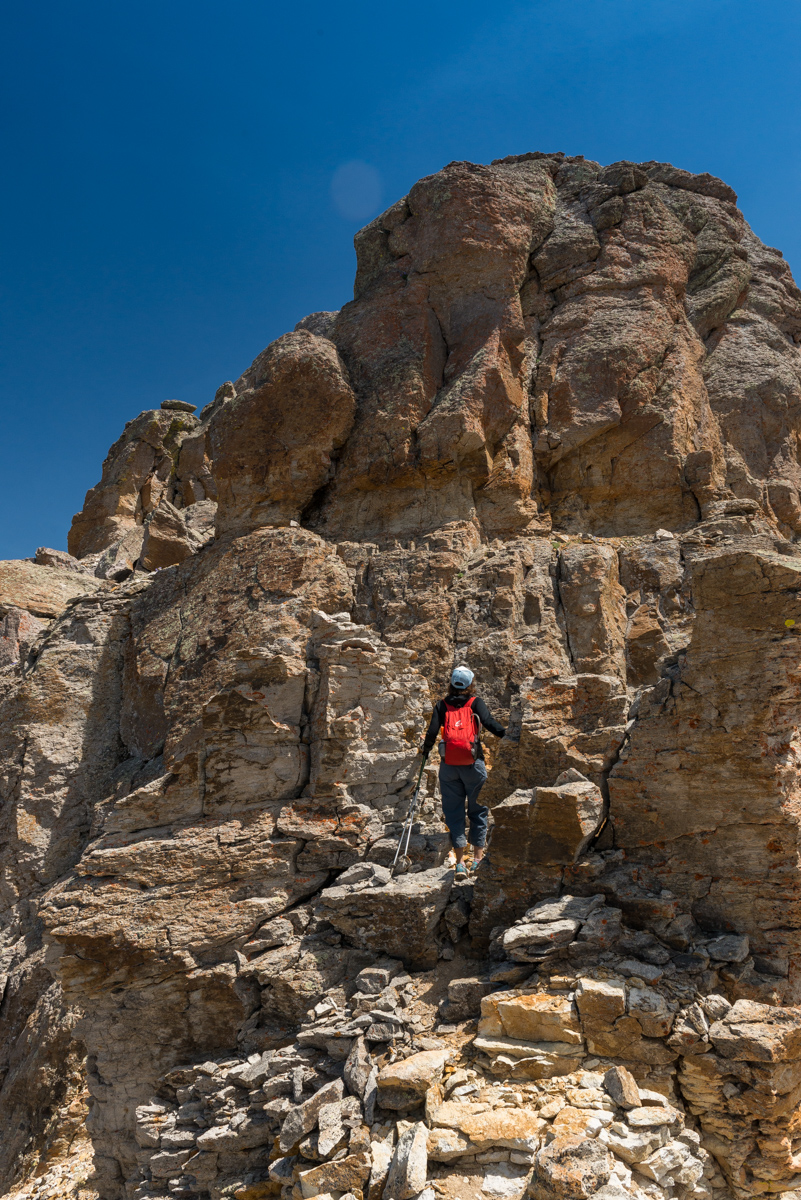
(183, 182)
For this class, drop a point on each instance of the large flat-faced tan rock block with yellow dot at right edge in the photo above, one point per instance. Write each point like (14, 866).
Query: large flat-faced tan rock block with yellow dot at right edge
(738, 667)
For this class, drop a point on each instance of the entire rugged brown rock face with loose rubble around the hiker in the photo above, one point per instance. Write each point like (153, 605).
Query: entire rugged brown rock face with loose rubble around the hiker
(553, 435)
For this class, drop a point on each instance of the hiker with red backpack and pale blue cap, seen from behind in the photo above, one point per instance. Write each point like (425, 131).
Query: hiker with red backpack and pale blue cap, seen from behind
(462, 773)
